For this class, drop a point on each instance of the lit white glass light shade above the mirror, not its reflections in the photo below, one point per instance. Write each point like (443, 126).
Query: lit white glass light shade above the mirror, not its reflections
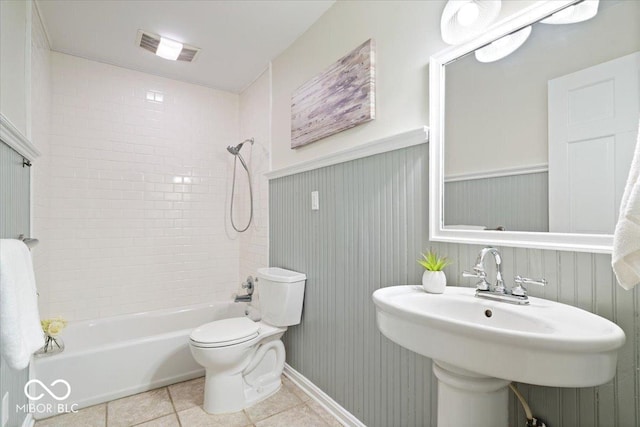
(462, 20)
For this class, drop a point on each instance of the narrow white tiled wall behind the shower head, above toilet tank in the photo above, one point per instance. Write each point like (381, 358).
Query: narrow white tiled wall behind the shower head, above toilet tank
(255, 107)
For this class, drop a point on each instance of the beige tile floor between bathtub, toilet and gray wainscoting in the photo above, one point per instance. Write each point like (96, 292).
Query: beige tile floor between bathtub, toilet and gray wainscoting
(180, 405)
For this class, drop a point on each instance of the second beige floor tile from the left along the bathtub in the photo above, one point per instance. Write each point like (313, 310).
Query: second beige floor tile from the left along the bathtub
(139, 408)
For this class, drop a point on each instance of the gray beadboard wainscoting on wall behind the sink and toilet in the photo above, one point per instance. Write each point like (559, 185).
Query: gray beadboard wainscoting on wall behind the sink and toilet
(370, 228)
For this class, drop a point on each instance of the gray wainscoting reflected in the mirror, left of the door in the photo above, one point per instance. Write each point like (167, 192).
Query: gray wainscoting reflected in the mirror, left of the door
(516, 202)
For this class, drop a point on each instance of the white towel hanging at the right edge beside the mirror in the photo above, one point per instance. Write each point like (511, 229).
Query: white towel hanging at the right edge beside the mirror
(626, 238)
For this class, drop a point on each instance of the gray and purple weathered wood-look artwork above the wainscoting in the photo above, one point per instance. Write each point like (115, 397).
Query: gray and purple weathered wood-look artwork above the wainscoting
(339, 98)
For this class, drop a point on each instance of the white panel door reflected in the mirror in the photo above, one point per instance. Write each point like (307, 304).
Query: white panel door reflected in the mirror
(593, 125)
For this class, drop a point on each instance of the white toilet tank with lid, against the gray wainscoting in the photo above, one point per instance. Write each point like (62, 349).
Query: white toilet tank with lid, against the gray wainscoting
(281, 295)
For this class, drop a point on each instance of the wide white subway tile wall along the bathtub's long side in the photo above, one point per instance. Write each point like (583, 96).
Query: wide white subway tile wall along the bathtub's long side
(138, 193)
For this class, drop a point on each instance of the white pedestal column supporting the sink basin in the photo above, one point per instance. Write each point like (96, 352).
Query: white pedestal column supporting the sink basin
(469, 399)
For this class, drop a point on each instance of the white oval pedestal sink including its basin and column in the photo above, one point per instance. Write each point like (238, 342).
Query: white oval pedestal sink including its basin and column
(479, 346)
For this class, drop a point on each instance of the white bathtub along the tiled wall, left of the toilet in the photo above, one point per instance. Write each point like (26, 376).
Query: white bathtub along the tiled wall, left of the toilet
(109, 358)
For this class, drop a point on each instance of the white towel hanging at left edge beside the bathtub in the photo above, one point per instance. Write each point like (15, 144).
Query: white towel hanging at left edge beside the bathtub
(20, 331)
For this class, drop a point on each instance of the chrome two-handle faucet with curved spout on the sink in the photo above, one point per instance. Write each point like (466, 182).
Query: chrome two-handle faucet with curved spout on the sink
(517, 295)
